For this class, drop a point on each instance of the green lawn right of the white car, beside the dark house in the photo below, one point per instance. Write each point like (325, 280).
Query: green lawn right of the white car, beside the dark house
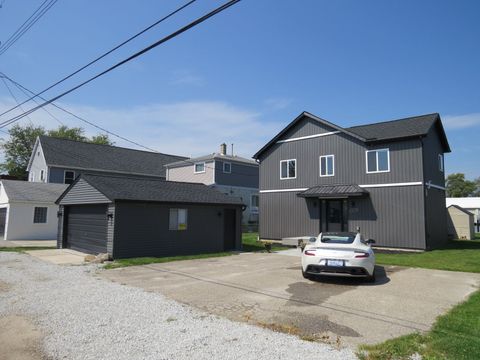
(459, 255)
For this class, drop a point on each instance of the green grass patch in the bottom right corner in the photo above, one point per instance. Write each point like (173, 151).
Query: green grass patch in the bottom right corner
(454, 335)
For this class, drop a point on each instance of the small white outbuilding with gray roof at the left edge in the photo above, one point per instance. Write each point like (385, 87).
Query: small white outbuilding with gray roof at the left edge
(28, 210)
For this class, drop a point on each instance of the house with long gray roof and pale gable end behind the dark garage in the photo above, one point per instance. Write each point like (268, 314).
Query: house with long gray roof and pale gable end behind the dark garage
(55, 160)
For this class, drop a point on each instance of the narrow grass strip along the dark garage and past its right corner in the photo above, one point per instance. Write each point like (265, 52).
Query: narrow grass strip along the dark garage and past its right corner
(249, 242)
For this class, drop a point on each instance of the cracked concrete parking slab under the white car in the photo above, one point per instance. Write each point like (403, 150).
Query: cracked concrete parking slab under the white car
(269, 290)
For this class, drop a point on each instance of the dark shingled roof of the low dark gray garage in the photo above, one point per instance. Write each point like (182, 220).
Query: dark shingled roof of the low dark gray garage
(154, 190)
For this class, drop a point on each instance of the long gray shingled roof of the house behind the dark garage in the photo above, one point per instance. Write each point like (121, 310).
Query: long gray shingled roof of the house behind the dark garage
(106, 158)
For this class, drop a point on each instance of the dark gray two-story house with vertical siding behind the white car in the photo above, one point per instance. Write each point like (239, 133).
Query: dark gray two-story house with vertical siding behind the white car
(387, 179)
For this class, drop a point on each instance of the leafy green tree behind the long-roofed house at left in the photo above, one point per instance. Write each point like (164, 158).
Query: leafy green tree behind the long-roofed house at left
(18, 148)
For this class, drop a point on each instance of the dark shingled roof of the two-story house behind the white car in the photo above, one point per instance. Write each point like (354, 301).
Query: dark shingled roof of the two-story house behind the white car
(389, 130)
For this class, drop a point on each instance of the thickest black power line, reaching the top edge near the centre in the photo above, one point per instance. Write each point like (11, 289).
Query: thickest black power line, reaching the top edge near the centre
(130, 58)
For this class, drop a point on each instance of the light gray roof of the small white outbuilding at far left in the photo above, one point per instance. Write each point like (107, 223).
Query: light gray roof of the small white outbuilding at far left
(24, 191)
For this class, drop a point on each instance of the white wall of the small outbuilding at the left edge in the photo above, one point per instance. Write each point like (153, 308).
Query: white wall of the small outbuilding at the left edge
(20, 226)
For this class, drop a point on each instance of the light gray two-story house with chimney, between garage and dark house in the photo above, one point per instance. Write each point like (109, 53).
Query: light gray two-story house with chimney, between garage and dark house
(230, 174)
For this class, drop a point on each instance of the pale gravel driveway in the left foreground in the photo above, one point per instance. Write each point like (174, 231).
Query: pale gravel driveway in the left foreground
(82, 316)
